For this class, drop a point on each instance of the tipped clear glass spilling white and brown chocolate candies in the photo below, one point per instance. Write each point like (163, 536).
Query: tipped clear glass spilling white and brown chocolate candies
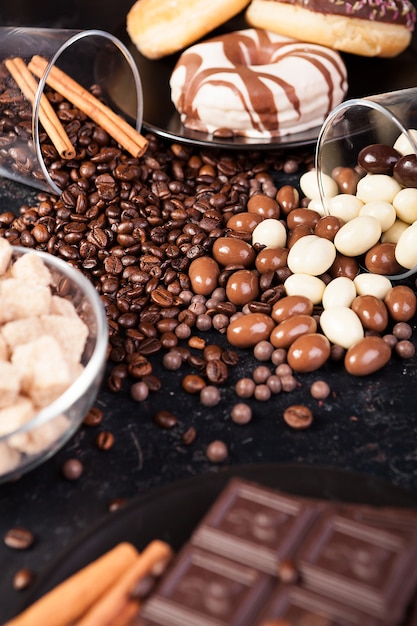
(356, 142)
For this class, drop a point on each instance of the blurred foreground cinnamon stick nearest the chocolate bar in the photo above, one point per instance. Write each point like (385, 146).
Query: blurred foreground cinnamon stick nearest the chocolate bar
(117, 607)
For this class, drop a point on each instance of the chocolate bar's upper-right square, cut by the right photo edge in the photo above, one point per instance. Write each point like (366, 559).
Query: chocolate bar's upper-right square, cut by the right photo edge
(348, 560)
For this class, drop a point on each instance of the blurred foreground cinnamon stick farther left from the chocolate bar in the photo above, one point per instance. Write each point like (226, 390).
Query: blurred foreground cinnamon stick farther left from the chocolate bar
(69, 600)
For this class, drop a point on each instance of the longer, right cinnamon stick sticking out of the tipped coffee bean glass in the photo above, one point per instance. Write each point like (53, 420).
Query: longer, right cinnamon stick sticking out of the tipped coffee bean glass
(112, 123)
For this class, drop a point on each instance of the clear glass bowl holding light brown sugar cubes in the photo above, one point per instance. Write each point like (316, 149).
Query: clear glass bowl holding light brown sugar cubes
(34, 441)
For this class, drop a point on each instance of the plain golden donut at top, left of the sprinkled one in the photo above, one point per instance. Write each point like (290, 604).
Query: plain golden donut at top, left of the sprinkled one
(162, 27)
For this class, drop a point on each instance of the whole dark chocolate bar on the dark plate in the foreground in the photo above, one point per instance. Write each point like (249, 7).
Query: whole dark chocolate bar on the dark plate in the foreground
(260, 557)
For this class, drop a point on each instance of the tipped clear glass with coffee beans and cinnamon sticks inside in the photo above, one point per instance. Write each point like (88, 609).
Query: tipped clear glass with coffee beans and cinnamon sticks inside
(93, 60)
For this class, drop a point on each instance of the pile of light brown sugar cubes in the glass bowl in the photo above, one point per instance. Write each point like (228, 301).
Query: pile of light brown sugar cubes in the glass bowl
(42, 339)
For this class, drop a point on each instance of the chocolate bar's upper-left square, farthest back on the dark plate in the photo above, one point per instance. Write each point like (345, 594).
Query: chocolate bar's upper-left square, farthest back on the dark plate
(256, 526)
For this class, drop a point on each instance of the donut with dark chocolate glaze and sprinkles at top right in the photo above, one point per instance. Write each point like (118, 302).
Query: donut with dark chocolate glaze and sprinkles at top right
(370, 28)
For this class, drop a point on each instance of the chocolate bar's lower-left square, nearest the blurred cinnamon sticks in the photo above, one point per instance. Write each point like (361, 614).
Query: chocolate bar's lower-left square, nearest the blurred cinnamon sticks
(203, 589)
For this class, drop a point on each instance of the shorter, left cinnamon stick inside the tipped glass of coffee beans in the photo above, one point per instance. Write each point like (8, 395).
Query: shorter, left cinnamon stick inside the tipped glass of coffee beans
(47, 116)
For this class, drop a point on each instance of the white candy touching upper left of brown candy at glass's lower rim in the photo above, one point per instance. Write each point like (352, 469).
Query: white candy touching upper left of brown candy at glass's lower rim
(358, 236)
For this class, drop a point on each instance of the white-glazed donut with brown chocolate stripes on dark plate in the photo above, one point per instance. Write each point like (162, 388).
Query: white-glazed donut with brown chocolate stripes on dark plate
(257, 84)
